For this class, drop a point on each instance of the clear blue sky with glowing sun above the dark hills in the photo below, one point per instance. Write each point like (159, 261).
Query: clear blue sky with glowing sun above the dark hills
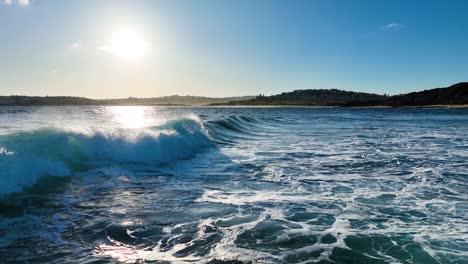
(118, 49)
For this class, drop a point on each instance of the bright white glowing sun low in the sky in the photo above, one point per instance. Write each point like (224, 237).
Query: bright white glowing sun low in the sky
(127, 43)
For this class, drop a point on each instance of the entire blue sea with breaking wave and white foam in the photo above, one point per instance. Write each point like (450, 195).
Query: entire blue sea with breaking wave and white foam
(233, 185)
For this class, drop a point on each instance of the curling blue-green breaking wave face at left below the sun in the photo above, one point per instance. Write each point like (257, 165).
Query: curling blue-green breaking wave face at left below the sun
(24, 157)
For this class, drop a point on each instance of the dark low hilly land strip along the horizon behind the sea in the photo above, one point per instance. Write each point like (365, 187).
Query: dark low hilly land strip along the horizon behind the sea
(454, 95)
